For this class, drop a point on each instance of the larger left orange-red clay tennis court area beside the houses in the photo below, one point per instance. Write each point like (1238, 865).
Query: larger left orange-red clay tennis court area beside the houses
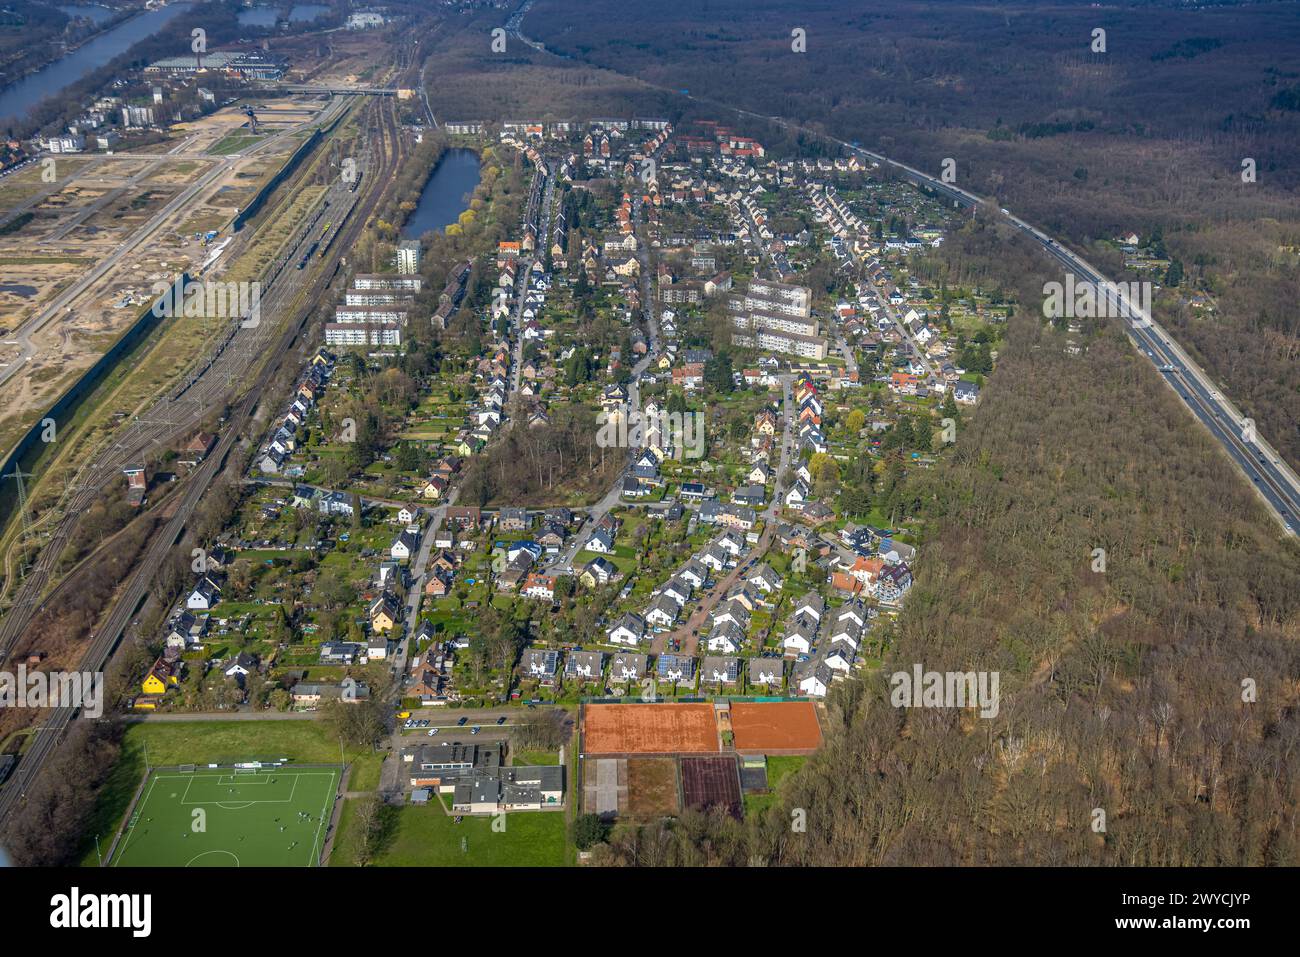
(649, 729)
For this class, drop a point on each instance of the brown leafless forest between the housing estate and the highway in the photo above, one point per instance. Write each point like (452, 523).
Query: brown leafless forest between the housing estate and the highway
(1123, 691)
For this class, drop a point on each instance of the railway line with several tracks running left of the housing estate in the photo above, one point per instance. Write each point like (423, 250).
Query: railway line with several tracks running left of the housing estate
(296, 295)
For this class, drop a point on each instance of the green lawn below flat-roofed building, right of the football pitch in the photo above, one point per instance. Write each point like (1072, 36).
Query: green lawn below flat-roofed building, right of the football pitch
(426, 837)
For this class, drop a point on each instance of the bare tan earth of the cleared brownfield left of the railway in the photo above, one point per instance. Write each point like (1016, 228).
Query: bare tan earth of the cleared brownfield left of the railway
(96, 205)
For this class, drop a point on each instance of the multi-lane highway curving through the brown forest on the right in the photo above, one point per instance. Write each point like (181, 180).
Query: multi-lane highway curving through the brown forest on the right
(1273, 479)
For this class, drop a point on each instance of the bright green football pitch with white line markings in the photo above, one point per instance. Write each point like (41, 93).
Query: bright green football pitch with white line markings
(226, 819)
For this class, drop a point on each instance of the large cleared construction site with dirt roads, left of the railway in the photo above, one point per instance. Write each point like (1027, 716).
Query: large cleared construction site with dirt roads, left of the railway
(86, 240)
